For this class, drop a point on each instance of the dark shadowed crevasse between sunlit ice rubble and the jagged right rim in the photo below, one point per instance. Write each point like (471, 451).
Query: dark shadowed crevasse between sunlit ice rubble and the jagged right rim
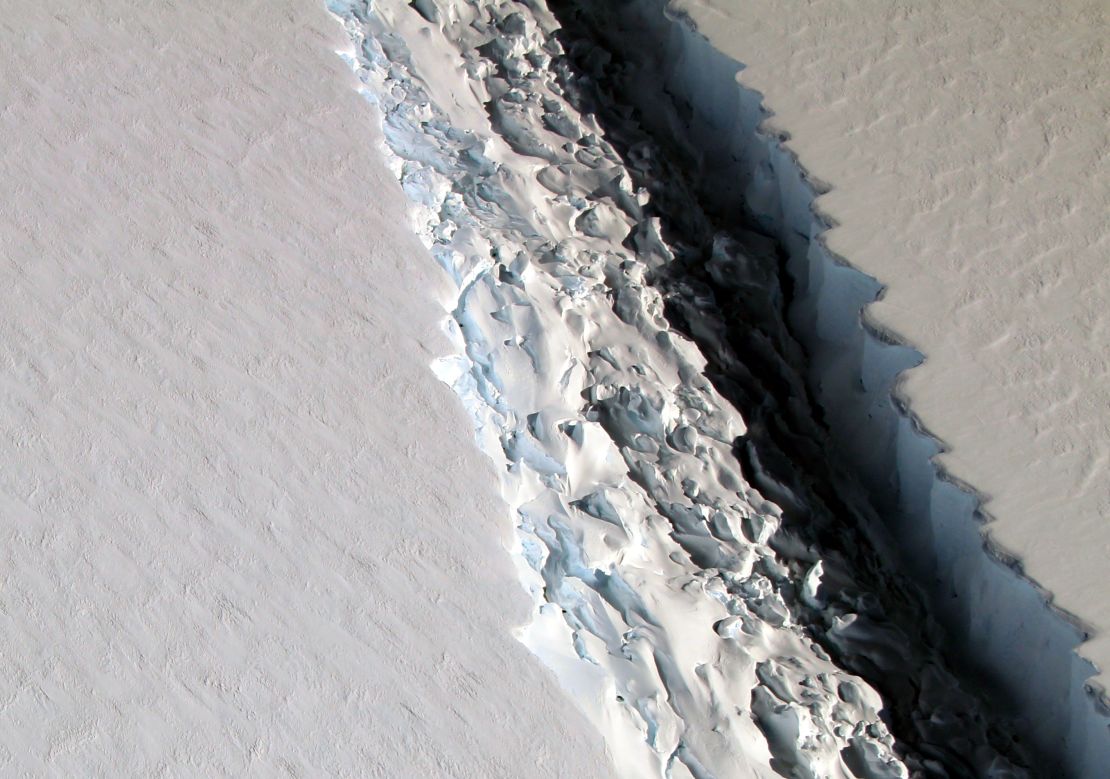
(789, 345)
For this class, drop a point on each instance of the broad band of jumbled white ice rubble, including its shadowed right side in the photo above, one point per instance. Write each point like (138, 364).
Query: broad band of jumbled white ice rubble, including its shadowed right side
(704, 629)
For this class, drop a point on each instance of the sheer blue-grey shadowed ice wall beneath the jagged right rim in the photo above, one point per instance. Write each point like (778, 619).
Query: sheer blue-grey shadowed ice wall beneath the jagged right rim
(997, 624)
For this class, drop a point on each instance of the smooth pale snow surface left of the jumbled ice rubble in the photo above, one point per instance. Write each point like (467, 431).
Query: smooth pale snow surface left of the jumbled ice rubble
(245, 529)
